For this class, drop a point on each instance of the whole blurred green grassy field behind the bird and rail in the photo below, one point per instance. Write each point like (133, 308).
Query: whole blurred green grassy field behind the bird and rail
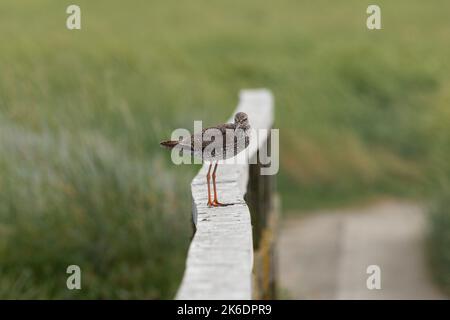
(82, 178)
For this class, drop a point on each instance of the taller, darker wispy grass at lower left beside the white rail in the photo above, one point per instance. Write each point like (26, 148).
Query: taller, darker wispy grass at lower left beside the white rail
(82, 200)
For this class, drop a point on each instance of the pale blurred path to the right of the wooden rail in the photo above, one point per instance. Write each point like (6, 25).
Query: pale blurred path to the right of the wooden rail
(325, 255)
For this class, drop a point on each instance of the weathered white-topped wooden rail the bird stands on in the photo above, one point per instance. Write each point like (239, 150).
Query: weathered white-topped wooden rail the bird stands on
(228, 258)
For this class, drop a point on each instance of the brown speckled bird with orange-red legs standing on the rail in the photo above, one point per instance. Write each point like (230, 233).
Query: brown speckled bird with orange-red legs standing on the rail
(199, 145)
